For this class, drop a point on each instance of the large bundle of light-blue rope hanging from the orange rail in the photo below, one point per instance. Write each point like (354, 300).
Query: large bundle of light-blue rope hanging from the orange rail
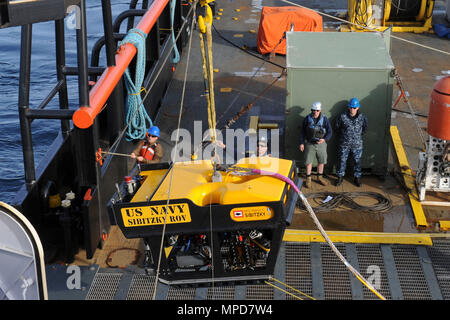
(136, 114)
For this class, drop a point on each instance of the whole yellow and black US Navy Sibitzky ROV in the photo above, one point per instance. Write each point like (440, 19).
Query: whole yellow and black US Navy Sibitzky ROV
(203, 223)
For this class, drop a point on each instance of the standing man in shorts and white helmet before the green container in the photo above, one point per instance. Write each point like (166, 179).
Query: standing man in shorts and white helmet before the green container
(316, 131)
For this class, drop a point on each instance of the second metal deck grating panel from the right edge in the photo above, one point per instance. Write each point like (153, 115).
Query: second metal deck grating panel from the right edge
(412, 278)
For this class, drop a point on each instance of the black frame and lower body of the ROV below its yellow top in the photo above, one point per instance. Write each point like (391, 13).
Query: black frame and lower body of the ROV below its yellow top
(221, 229)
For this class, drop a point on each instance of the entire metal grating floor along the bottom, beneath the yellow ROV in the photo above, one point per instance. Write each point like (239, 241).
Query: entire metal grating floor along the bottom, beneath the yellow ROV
(405, 273)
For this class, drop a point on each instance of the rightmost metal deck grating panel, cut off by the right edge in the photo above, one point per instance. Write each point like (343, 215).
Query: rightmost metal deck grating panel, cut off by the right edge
(440, 257)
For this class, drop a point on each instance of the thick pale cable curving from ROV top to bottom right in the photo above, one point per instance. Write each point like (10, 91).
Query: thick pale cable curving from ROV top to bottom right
(250, 171)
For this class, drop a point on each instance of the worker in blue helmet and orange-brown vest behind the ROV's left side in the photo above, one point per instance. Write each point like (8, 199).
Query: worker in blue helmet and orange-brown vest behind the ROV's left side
(149, 150)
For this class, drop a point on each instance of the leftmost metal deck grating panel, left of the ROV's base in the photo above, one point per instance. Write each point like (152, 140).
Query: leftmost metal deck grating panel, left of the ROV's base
(104, 286)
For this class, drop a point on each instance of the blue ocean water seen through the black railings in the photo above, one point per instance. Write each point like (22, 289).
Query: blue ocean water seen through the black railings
(43, 78)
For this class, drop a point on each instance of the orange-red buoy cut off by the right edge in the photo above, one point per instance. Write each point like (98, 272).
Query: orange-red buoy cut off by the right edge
(439, 113)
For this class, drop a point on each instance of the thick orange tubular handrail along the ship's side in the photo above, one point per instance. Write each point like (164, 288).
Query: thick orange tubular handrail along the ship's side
(84, 117)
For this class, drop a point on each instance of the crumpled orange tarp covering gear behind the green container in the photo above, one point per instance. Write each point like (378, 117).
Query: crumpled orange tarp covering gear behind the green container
(275, 21)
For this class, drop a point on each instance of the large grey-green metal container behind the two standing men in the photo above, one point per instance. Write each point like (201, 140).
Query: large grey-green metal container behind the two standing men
(333, 67)
